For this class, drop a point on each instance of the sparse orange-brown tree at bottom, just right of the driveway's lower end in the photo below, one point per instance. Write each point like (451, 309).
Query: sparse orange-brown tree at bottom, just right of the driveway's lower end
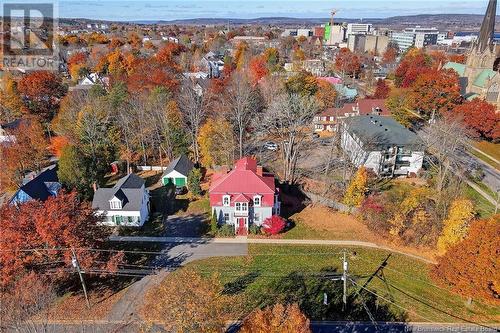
(188, 302)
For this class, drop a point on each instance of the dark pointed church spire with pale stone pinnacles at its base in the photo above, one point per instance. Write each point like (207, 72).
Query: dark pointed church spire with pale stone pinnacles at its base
(484, 51)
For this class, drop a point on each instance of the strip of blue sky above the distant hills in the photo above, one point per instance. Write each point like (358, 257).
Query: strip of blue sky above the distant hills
(177, 9)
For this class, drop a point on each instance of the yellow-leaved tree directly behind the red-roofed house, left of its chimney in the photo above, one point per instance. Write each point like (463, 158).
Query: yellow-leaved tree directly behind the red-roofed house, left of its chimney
(217, 143)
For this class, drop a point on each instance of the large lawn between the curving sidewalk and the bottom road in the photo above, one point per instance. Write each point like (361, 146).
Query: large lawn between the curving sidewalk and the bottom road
(277, 272)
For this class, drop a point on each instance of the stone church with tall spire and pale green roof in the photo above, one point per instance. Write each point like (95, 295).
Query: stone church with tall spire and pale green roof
(479, 77)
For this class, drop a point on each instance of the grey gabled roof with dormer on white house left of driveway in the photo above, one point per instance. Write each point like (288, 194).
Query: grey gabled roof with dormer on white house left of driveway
(128, 189)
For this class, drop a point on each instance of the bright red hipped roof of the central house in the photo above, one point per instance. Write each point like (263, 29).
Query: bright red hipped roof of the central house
(244, 179)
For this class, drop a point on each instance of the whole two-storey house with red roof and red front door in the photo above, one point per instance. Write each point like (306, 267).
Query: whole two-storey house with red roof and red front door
(244, 195)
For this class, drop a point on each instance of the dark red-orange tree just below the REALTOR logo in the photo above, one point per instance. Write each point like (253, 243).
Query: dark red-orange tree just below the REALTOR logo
(41, 92)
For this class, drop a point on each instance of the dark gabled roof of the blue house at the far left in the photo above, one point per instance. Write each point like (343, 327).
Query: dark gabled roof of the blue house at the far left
(38, 188)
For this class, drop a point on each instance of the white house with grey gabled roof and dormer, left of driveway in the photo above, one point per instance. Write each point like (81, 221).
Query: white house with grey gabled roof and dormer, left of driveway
(125, 204)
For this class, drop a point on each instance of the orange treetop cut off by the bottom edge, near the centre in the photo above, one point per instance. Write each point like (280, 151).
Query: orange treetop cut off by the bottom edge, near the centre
(277, 319)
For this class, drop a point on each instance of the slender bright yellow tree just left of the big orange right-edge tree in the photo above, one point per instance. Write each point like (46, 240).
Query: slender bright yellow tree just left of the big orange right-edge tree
(456, 225)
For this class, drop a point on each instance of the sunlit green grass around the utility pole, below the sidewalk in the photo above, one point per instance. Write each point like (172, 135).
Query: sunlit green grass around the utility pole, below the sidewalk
(267, 266)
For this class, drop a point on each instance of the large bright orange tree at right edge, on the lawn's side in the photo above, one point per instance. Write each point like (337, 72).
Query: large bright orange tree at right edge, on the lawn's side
(470, 267)
